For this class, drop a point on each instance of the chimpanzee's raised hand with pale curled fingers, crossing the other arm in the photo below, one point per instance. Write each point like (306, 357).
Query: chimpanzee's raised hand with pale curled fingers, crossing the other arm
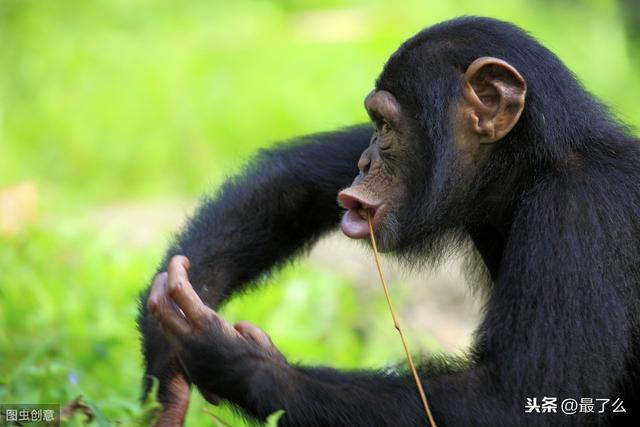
(222, 360)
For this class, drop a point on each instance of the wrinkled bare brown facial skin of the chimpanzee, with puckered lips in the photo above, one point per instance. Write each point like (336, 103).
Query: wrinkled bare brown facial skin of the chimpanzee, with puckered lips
(379, 188)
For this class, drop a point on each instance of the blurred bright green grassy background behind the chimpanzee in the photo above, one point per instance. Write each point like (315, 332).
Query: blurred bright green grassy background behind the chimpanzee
(116, 115)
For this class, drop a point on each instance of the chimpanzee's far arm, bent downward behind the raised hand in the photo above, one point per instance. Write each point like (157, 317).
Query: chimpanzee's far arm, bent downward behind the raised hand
(281, 204)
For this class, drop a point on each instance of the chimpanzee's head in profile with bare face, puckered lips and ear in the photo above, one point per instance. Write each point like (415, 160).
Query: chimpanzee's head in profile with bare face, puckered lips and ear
(440, 109)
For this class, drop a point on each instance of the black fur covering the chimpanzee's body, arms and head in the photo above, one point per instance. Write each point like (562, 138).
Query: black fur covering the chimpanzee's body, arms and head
(555, 217)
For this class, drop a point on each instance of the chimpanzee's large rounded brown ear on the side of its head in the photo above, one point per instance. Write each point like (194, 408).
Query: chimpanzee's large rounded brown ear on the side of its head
(495, 92)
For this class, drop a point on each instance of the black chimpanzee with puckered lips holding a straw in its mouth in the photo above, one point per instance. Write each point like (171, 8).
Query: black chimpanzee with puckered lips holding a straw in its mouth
(480, 135)
